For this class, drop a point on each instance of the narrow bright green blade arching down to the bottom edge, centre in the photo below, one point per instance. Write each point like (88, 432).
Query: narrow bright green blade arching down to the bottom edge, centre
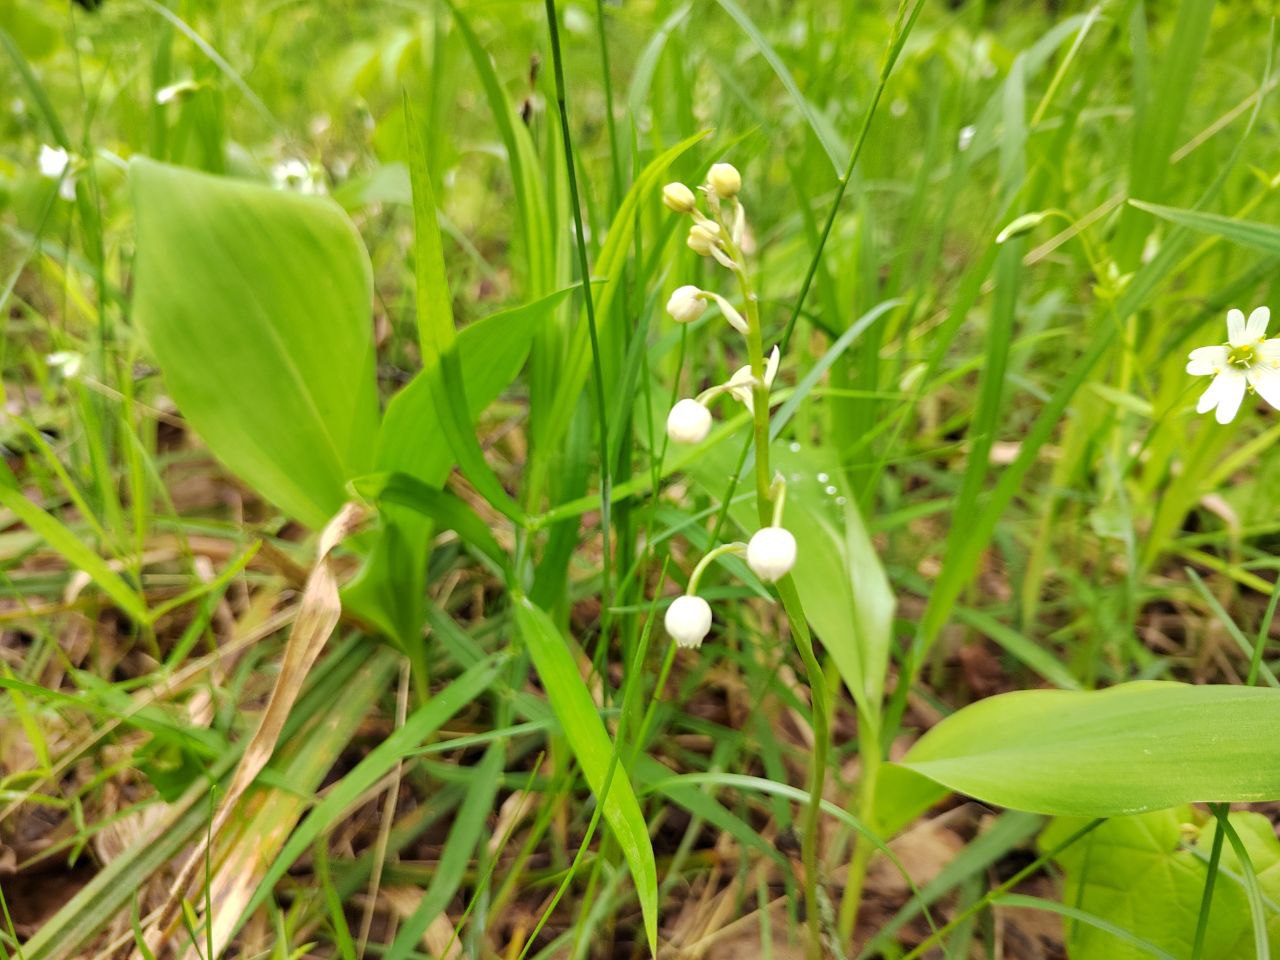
(591, 743)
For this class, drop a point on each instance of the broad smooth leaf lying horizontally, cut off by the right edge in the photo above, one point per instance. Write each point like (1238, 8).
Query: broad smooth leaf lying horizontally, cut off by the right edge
(1133, 748)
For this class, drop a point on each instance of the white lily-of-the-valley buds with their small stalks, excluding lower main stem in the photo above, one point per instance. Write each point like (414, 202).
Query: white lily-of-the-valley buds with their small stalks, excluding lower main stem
(772, 551)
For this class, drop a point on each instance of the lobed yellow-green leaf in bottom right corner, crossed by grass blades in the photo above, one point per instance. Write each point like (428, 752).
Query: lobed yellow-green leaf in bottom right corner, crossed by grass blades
(1139, 875)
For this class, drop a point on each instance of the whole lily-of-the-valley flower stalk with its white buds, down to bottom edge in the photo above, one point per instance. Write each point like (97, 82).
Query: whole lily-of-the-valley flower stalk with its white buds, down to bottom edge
(771, 552)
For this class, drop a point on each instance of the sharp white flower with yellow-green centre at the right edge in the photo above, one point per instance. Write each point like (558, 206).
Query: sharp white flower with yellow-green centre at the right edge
(1247, 362)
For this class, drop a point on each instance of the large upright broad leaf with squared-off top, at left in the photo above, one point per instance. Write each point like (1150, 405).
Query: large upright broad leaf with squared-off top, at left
(257, 304)
